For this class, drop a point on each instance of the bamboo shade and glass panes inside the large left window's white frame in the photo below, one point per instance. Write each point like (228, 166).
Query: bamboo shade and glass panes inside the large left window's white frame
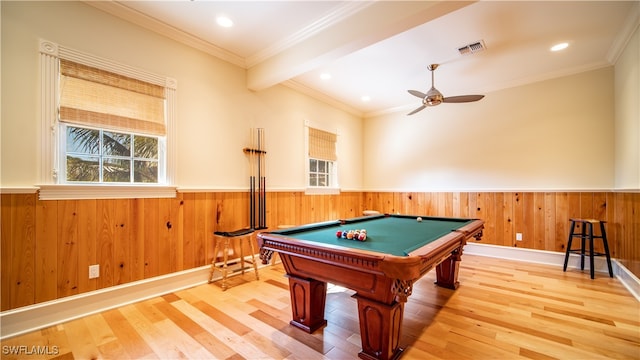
(109, 104)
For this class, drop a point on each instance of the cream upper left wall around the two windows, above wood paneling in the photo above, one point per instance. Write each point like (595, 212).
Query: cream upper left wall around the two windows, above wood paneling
(215, 110)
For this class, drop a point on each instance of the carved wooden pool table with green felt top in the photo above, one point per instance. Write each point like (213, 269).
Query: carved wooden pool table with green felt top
(397, 251)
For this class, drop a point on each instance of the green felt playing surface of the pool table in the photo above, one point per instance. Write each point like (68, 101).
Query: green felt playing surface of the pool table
(390, 234)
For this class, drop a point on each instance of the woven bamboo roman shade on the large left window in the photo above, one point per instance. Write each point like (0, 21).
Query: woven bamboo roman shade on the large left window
(94, 97)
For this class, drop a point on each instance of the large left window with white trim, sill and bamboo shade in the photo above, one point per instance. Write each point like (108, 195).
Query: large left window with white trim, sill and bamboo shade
(111, 127)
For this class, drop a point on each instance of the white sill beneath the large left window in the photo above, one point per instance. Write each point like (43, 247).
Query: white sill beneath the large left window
(77, 192)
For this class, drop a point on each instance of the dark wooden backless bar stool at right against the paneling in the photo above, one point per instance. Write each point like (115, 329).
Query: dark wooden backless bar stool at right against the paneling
(586, 234)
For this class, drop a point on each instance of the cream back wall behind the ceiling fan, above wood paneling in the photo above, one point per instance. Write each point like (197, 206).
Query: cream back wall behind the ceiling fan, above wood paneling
(552, 135)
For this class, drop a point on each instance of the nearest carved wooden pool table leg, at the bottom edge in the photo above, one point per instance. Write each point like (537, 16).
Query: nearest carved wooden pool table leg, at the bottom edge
(380, 326)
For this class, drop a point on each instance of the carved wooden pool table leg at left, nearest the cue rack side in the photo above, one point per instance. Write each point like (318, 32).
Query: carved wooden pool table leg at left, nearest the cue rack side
(308, 298)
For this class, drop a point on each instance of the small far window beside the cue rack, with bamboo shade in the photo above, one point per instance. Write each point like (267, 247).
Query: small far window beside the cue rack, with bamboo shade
(322, 159)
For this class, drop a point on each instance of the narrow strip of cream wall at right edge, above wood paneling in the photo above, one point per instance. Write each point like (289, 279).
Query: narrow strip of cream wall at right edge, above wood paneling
(627, 116)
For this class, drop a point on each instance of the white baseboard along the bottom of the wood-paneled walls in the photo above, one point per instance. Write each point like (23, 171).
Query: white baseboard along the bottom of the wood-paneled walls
(34, 317)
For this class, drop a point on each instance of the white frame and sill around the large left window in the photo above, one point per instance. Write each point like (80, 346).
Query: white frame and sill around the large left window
(51, 188)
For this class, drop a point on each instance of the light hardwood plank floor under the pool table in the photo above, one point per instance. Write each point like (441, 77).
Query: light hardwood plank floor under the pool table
(502, 310)
